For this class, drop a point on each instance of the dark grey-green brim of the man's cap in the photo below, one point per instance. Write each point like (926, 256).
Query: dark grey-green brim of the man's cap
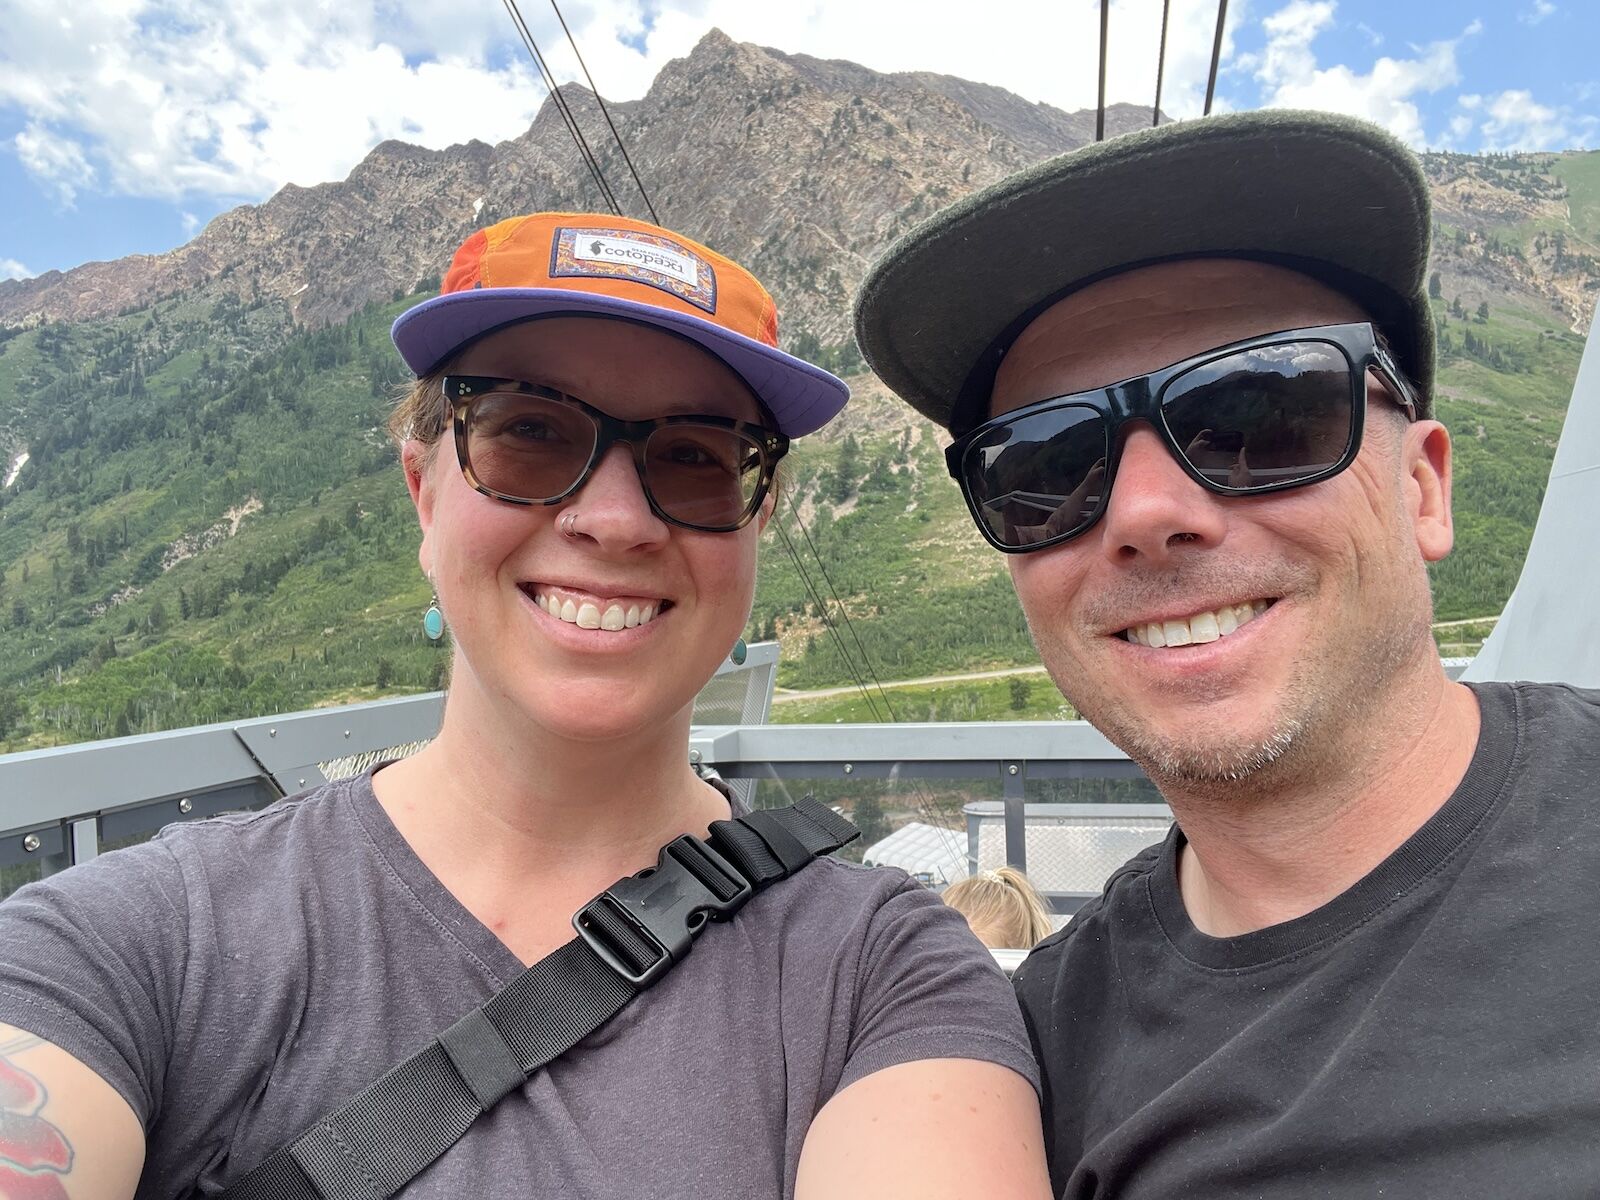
(1326, 194)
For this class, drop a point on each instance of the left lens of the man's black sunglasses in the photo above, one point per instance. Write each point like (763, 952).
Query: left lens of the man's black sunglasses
(1038, 478)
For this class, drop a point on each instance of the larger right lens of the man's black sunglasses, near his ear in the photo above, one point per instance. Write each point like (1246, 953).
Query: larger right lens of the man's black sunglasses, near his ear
(1265, 418)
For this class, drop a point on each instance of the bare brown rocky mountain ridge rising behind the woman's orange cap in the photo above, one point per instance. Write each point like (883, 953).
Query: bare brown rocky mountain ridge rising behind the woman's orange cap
(799, 167)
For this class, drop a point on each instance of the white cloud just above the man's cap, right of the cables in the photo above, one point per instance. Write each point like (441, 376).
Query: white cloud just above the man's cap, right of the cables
(1292, 76)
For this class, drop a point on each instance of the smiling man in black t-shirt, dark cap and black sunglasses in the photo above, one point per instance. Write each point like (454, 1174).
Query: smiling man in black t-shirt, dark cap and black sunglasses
(1190, 375)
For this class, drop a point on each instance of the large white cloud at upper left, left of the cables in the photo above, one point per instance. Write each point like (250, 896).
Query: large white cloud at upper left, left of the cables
(175, 98)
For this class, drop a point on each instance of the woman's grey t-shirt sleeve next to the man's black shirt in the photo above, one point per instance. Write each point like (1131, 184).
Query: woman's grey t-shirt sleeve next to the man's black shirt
(929, 990)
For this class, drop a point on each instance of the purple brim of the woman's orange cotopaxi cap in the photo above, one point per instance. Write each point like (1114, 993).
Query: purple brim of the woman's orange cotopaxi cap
(799, 396)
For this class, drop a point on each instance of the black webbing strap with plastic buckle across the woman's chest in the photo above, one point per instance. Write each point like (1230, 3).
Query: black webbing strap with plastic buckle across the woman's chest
(630, 937)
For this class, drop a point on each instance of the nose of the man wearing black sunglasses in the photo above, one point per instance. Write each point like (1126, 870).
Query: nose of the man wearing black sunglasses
(1156, 506)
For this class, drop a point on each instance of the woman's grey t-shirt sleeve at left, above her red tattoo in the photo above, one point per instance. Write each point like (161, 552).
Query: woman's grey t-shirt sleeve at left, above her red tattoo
(94, 961)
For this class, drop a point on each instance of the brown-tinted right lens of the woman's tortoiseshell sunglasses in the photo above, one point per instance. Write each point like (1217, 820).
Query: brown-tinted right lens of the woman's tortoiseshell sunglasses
(708, 478)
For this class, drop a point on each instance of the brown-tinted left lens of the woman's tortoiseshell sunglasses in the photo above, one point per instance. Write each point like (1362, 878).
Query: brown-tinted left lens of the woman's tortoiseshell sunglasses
(529, 447)
